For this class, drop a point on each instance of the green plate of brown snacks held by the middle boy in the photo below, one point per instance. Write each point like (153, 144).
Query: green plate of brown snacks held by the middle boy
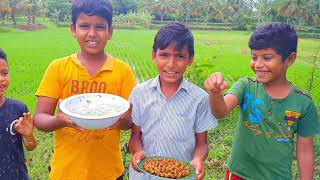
(167, 168)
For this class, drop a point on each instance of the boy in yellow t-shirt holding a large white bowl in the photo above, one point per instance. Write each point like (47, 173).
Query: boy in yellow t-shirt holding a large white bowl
(85, 154)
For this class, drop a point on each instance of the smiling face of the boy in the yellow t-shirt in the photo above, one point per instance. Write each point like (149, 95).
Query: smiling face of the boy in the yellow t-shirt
(92, 34)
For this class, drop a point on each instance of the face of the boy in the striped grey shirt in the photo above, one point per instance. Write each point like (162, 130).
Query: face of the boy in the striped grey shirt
(171, 64)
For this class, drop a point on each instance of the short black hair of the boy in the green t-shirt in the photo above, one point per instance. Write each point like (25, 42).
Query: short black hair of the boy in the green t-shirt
(281, 37)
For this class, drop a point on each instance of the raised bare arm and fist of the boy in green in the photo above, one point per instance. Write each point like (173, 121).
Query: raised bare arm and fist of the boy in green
(220, 105)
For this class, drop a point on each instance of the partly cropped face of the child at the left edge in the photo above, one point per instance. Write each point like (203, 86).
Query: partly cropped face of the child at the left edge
(4, 77)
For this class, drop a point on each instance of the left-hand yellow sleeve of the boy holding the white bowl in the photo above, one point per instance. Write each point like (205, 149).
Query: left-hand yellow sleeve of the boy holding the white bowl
(49, 85)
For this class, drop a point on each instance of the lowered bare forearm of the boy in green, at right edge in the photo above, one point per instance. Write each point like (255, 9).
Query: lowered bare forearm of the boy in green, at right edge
(305, 157)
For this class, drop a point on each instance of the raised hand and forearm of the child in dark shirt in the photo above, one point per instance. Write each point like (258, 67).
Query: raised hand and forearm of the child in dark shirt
(25, 127)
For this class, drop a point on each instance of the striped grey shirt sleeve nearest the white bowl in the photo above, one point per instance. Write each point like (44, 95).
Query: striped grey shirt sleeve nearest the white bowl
(134, 99)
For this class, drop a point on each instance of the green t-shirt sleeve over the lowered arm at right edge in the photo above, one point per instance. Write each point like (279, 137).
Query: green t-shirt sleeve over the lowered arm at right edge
(309, 124)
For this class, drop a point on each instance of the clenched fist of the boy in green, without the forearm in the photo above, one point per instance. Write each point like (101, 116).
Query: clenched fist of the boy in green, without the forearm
(215, 83)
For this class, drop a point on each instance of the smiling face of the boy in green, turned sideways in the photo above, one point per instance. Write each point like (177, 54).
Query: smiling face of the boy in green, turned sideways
(269, 66)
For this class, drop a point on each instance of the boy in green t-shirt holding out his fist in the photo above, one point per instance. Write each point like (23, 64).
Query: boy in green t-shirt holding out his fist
(272, 111)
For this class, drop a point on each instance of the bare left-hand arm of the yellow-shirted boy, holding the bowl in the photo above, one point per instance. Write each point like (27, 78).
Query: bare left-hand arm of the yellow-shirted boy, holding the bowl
(45, 120)
